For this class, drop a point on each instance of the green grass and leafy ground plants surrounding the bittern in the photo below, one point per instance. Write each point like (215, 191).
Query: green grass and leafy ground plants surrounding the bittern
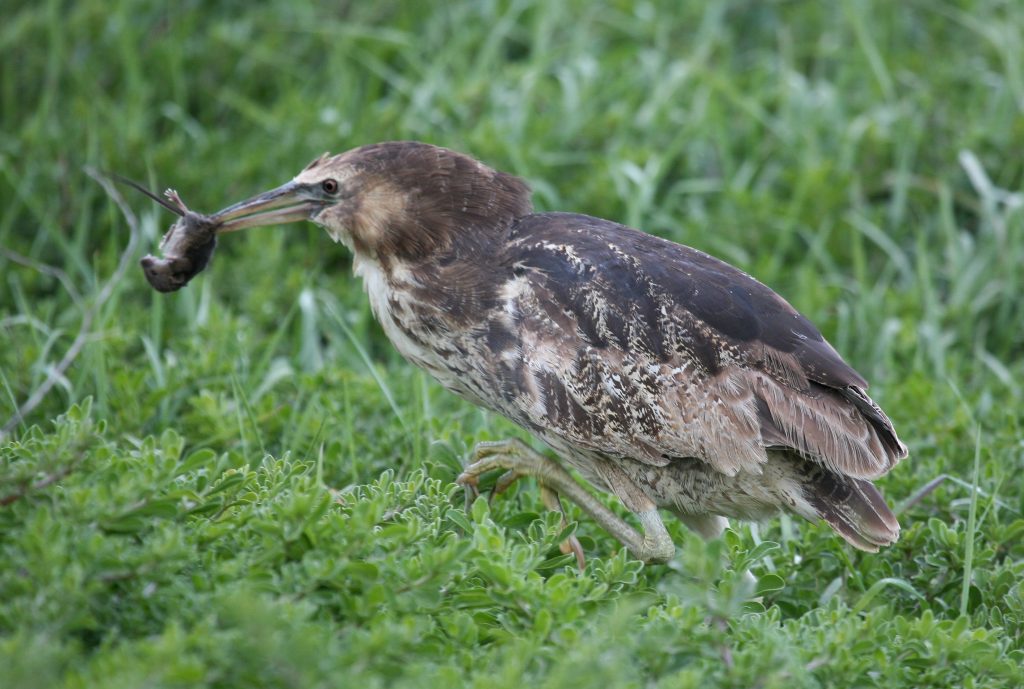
(242, 485)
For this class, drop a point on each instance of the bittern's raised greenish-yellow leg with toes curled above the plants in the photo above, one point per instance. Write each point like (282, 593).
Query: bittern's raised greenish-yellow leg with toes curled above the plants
(655, 545)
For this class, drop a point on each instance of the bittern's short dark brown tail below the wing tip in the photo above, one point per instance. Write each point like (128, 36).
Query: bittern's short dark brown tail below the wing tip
(855, 508)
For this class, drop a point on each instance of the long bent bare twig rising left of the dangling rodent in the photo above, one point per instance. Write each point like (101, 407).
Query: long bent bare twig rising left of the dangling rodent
(58, 372)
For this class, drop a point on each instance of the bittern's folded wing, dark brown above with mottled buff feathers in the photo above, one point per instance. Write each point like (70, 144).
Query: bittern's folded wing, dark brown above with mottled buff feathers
(624, 343)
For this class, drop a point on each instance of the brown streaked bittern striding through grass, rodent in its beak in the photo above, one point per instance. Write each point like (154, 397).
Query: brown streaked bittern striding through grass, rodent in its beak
(661, 374)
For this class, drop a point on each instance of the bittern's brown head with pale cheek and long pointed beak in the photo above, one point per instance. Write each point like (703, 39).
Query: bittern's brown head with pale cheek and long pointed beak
(396, 201)
